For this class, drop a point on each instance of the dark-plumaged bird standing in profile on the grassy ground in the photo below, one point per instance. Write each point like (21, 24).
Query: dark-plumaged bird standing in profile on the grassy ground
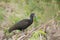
(23, 24)
